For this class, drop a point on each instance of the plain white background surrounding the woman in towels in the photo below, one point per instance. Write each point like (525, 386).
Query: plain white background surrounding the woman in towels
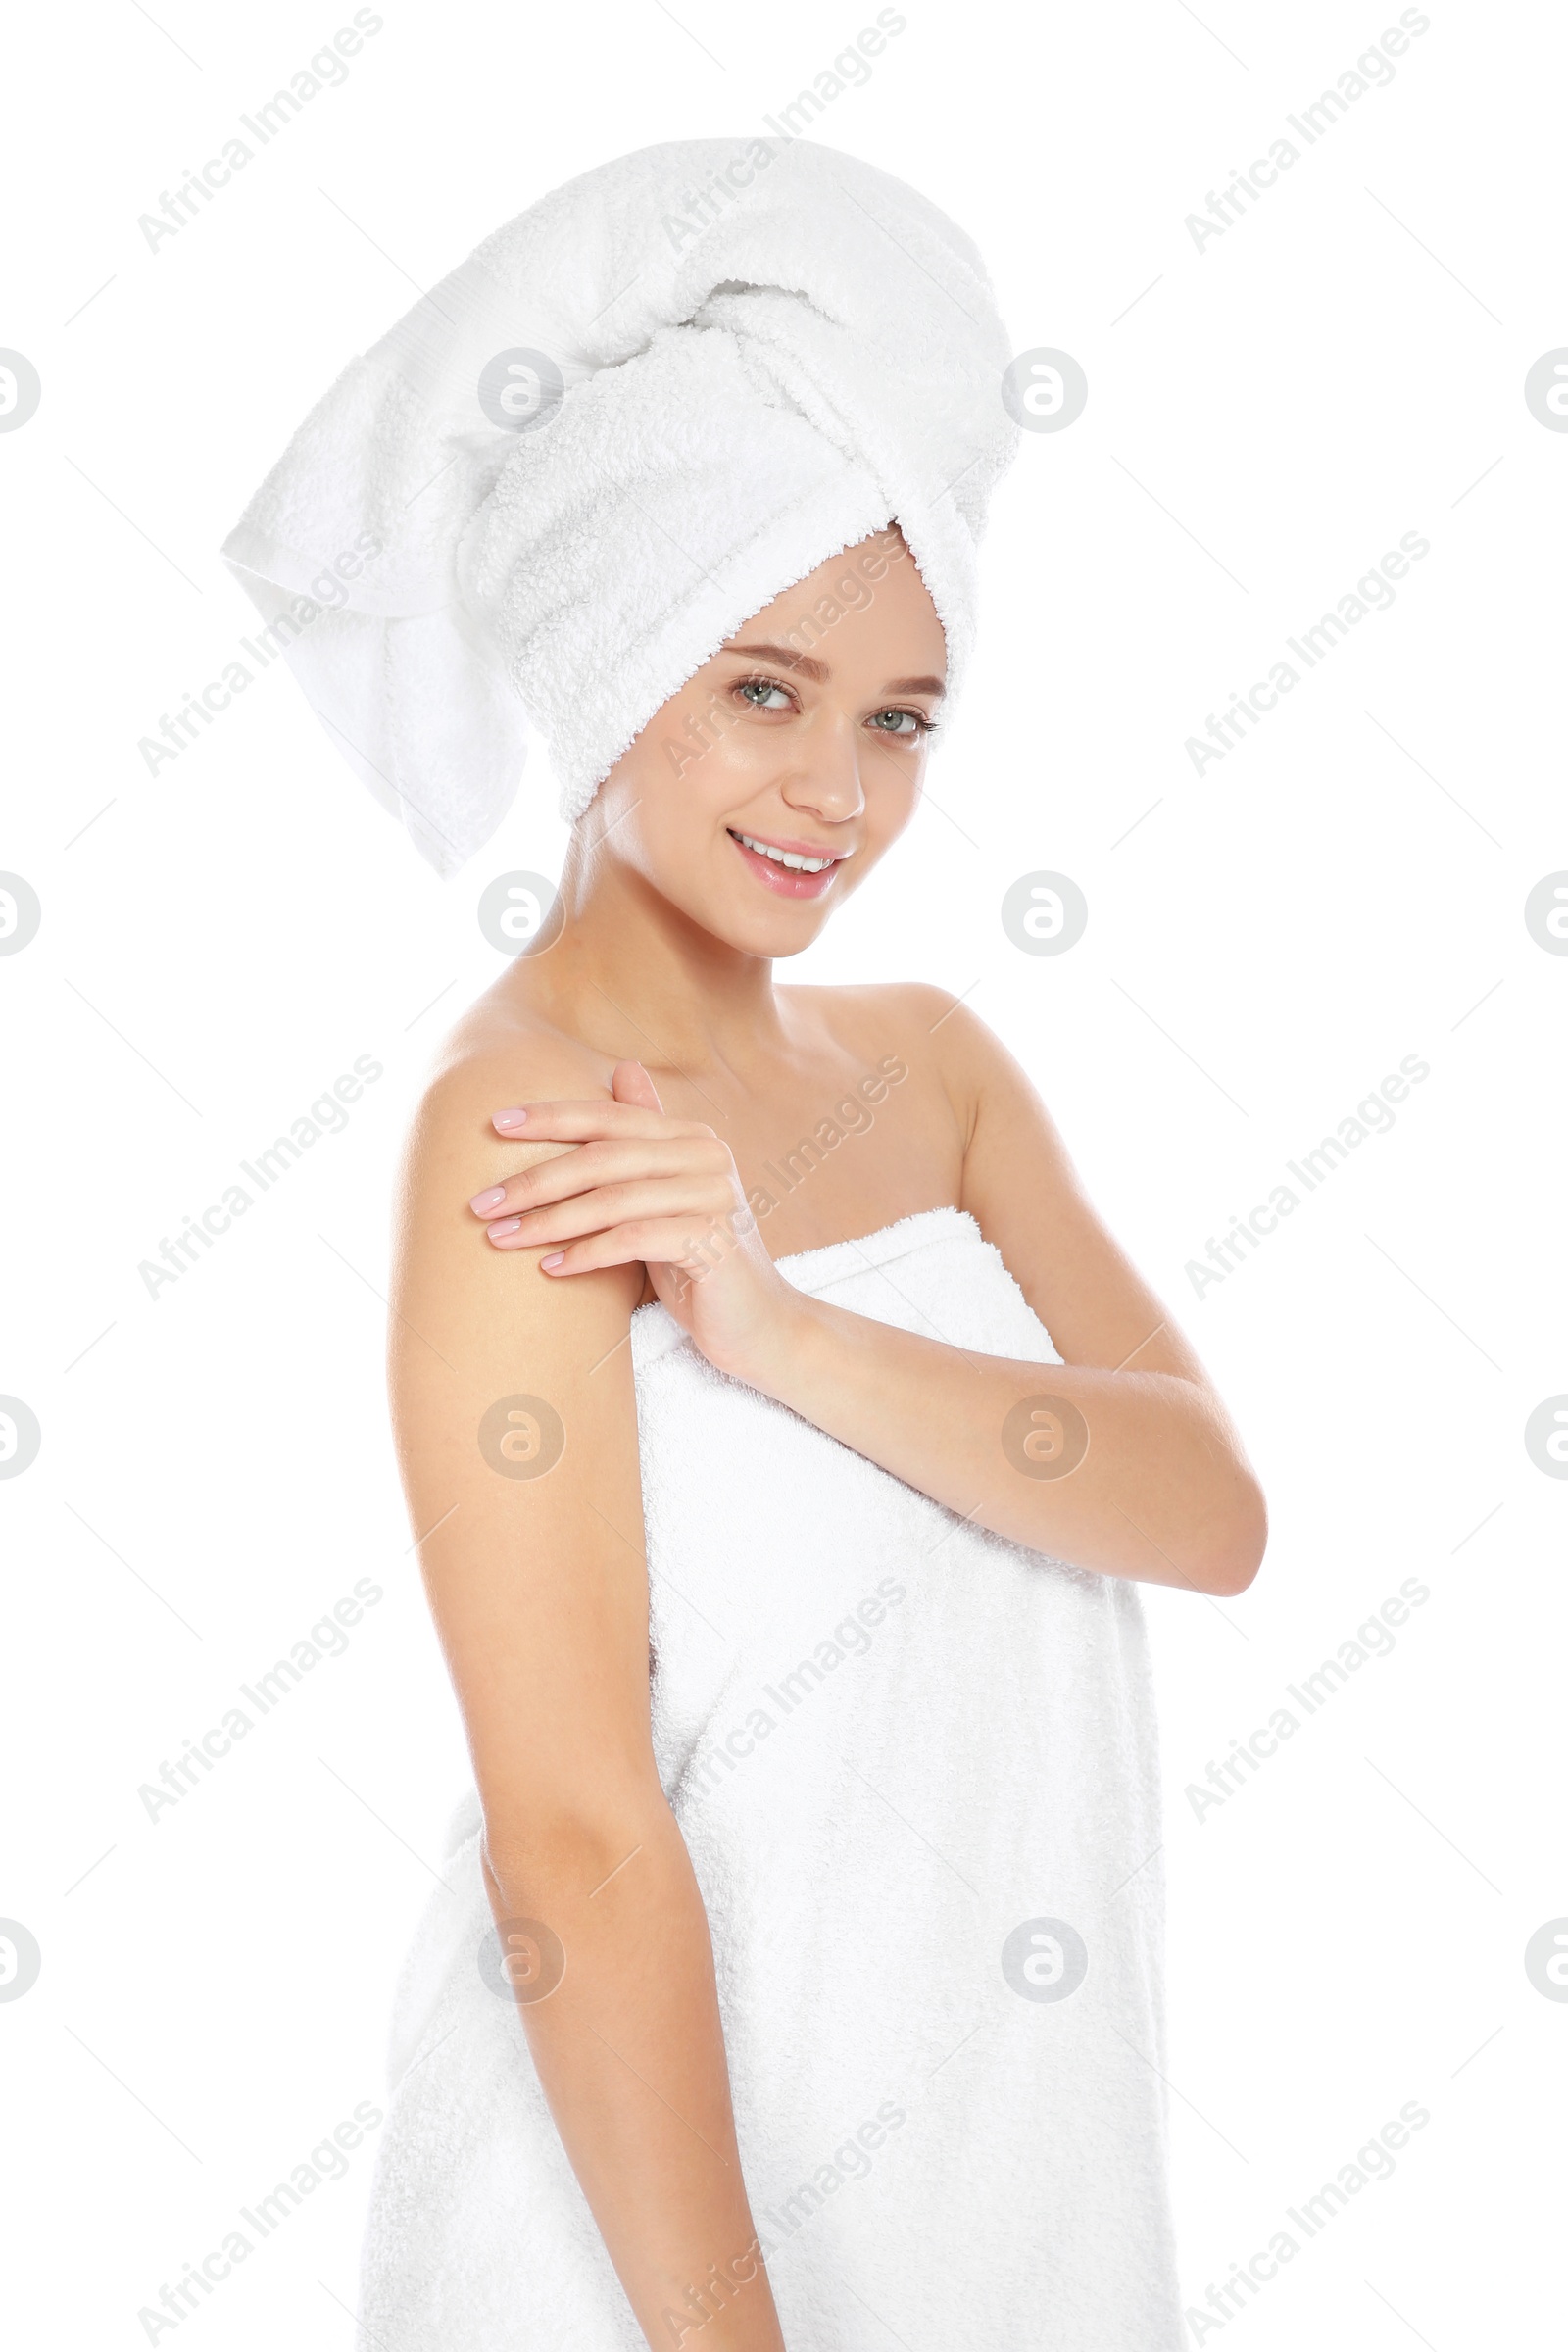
(1268, 940)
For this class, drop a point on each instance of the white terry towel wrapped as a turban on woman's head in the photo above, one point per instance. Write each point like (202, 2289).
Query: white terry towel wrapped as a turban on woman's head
(634, 417)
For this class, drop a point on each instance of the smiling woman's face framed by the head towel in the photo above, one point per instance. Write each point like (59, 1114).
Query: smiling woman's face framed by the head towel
(803, 737)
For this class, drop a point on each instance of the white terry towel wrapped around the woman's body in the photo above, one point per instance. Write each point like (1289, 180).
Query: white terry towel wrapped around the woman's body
(899, 1751)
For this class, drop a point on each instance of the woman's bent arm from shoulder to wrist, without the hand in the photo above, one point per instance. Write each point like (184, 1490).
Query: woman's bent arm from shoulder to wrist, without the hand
(1123, 1457)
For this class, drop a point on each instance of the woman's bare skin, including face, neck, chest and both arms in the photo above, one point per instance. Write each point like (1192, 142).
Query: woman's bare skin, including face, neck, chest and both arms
(598, 1137)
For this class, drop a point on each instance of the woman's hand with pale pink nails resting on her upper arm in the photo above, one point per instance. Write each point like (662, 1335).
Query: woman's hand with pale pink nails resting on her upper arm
(645, 1189)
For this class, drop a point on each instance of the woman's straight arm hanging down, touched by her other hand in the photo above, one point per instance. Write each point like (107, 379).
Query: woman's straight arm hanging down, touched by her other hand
(540, 1593)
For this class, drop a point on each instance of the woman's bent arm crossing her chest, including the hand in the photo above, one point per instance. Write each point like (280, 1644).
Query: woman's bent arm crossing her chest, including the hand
(1118, 1459)
